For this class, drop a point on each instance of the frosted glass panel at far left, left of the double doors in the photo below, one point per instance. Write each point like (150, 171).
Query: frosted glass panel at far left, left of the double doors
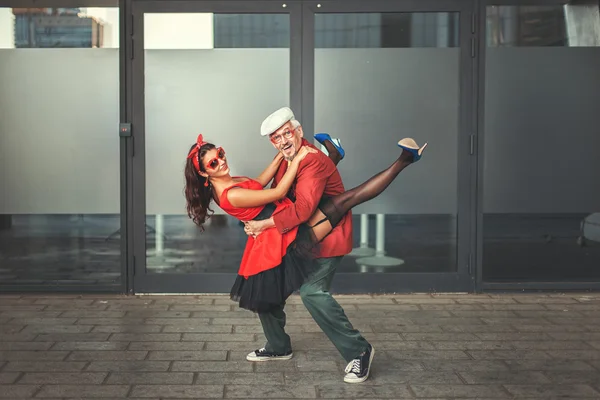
(59, 104)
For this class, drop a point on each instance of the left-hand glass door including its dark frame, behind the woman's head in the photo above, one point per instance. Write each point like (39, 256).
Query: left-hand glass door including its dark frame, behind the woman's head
(202, 67)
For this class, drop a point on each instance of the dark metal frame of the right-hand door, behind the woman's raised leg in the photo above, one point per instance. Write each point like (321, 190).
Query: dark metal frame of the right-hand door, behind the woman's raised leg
(463, 279)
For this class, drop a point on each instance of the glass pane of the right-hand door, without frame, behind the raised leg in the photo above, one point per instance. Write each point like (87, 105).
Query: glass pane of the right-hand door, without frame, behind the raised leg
(378, 78)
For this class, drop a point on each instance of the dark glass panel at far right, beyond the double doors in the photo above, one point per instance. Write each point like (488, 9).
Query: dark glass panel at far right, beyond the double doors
(542, 148)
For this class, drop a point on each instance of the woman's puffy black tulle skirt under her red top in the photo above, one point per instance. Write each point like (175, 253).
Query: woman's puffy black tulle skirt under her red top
(269, 289)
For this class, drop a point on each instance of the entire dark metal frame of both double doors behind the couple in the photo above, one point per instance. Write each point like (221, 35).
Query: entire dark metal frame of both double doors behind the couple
(302, 101)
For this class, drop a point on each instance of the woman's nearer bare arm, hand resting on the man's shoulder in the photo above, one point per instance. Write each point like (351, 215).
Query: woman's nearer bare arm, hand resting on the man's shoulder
(254, 198)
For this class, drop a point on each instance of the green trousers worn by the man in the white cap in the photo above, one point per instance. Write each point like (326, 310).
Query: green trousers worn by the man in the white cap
(324, 309)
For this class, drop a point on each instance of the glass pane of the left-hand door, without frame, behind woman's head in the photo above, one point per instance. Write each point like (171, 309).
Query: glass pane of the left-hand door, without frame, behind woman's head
(191, 87)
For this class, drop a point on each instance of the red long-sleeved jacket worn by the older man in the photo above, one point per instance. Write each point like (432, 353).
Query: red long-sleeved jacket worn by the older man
(317, 175)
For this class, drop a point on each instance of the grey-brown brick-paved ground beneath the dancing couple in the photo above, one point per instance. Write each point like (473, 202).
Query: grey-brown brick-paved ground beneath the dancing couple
(505, 346)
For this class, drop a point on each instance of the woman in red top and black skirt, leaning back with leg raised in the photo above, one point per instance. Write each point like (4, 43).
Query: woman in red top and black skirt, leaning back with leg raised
(274, 265)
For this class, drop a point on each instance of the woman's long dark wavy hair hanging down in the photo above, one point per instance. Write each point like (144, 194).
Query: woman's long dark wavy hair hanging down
(197, 195)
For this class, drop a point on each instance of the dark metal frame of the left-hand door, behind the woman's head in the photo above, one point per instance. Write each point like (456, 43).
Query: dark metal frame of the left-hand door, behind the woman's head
(143, 282)
